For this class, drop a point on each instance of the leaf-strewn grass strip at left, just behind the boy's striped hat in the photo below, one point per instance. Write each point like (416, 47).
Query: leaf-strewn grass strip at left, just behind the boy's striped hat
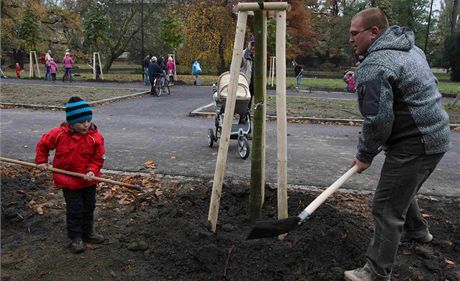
(56, 95)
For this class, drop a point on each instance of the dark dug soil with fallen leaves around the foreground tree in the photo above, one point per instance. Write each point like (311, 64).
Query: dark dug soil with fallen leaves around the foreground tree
(163, 235)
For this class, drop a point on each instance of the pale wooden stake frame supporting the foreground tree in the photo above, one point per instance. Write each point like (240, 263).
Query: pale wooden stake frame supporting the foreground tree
(243, 9)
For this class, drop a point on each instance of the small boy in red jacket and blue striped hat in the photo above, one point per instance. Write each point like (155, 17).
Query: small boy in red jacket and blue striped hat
(79, 148)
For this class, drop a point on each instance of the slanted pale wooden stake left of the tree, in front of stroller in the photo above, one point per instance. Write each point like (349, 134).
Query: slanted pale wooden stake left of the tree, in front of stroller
(228, 118)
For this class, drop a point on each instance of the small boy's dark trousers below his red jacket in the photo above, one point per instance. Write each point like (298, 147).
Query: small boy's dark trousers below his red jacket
(80, 211)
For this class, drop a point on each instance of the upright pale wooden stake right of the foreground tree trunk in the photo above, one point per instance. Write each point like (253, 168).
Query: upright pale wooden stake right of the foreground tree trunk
(281, 119)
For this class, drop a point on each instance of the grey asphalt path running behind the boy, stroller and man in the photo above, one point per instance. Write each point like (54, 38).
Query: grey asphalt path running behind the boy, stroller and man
(160, 129)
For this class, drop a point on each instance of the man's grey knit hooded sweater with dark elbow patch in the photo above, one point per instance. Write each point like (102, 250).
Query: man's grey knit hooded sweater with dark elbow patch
(399, 99)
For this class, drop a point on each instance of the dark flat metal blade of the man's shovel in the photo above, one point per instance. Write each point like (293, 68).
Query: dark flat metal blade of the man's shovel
(265, 229)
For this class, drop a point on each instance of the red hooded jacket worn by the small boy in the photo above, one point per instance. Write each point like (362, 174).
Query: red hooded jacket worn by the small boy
(75, 152)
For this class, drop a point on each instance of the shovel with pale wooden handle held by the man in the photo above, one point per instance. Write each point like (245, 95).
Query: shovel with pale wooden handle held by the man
(272, 229)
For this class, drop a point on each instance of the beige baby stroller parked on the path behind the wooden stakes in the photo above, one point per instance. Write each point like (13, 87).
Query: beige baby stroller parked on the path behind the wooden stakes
(241, 129)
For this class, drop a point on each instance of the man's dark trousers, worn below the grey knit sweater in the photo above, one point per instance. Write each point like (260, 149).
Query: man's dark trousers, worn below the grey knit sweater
(395, 208)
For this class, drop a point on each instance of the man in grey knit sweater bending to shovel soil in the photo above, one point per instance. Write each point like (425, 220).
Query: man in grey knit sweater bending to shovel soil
(401, 105)
